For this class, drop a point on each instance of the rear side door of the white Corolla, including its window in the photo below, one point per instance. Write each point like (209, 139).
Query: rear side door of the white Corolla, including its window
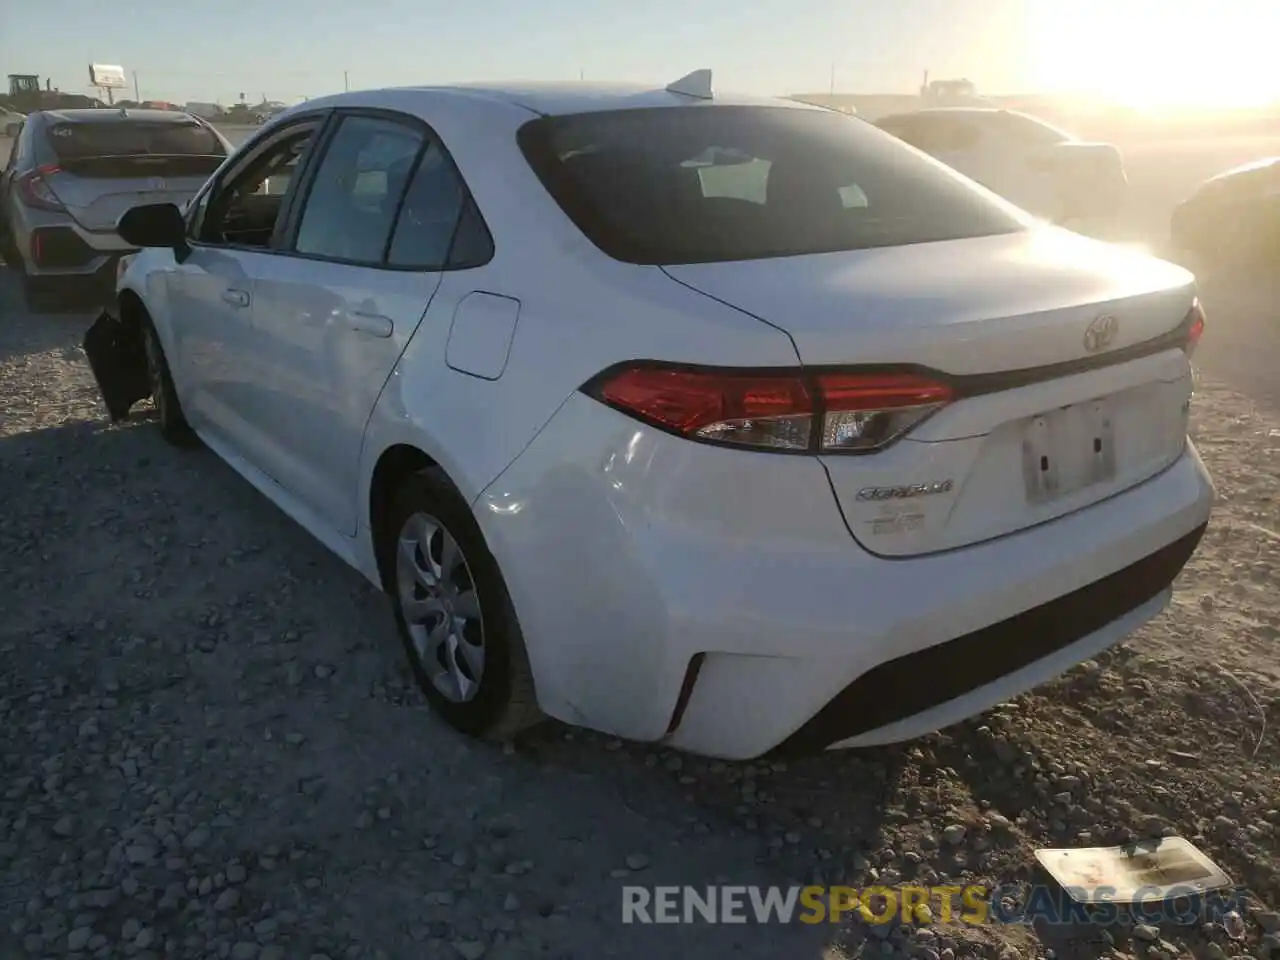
(368, 244)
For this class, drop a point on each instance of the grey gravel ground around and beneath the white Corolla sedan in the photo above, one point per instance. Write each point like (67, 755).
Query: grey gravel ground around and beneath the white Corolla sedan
(214, 749)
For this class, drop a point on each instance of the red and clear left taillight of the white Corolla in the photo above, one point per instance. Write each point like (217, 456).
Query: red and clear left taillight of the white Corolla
(829, 413)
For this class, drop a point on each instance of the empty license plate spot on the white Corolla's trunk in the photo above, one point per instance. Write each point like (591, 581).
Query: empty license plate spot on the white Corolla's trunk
(1068, 450)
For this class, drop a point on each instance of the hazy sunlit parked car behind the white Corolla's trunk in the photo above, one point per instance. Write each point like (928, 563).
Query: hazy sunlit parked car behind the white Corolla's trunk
(1025, 159)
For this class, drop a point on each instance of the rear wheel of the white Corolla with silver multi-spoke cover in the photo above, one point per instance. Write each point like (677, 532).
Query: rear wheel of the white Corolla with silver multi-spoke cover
(454, 612)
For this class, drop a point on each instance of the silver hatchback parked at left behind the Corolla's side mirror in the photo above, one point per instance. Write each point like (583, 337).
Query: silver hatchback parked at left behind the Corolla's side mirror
(70, 177)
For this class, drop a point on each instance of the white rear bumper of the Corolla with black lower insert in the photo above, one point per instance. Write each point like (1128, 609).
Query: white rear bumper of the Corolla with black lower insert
(716, 600)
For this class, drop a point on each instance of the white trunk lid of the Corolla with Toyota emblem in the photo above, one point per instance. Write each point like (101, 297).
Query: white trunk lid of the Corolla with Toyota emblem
(1064, 354)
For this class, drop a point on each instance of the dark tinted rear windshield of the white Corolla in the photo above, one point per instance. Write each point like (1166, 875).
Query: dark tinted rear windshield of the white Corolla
(715, 184)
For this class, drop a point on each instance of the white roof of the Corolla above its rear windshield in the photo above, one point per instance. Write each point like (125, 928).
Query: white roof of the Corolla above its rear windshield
(551, 99)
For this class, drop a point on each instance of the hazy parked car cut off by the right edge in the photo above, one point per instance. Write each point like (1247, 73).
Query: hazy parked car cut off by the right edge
(1233, 220)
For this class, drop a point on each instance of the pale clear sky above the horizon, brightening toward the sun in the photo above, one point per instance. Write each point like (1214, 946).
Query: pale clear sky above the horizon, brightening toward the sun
(1136, 52)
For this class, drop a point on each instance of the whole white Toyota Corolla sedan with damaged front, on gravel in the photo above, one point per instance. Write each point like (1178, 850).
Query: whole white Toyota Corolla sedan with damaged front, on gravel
(728, 423)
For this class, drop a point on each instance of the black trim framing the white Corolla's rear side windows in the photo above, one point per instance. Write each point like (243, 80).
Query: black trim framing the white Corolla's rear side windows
(291, 220)
